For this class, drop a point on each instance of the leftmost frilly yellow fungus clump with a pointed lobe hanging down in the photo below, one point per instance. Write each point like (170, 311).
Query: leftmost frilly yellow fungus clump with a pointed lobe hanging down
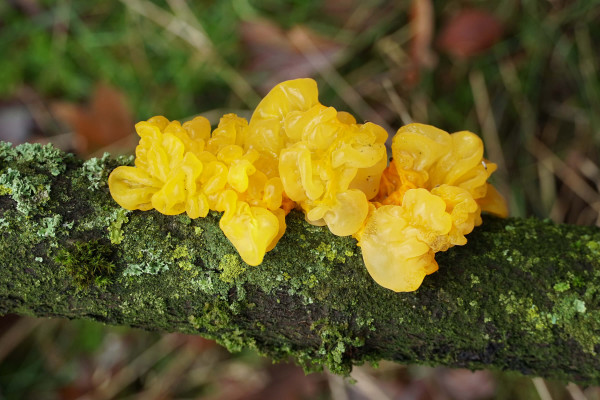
(183, 168)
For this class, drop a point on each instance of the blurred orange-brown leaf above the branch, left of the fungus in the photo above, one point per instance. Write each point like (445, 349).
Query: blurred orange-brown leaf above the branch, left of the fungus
(106, 120)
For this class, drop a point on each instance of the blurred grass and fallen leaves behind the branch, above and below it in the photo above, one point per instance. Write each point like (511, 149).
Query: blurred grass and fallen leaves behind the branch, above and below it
(79, 74)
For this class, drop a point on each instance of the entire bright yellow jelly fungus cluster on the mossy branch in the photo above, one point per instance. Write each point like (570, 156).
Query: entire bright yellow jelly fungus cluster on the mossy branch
(297, 153)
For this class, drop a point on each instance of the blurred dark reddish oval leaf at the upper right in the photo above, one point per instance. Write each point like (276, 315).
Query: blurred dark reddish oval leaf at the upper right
(470, 32)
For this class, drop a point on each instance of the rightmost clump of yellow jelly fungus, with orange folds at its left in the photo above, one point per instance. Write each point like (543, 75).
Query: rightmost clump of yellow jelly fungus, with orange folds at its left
(437, 186)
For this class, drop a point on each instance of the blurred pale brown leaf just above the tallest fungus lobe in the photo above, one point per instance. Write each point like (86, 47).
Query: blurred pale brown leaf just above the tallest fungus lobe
(283, 55)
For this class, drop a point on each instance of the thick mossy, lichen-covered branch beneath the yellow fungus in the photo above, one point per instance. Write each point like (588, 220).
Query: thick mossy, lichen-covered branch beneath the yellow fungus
(522, 295)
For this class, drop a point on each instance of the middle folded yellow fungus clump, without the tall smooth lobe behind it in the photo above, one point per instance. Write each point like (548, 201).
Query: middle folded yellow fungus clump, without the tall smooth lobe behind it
(330, 167)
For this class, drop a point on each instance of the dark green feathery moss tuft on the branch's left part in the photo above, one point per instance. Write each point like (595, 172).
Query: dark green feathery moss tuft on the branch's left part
(88, 263)
